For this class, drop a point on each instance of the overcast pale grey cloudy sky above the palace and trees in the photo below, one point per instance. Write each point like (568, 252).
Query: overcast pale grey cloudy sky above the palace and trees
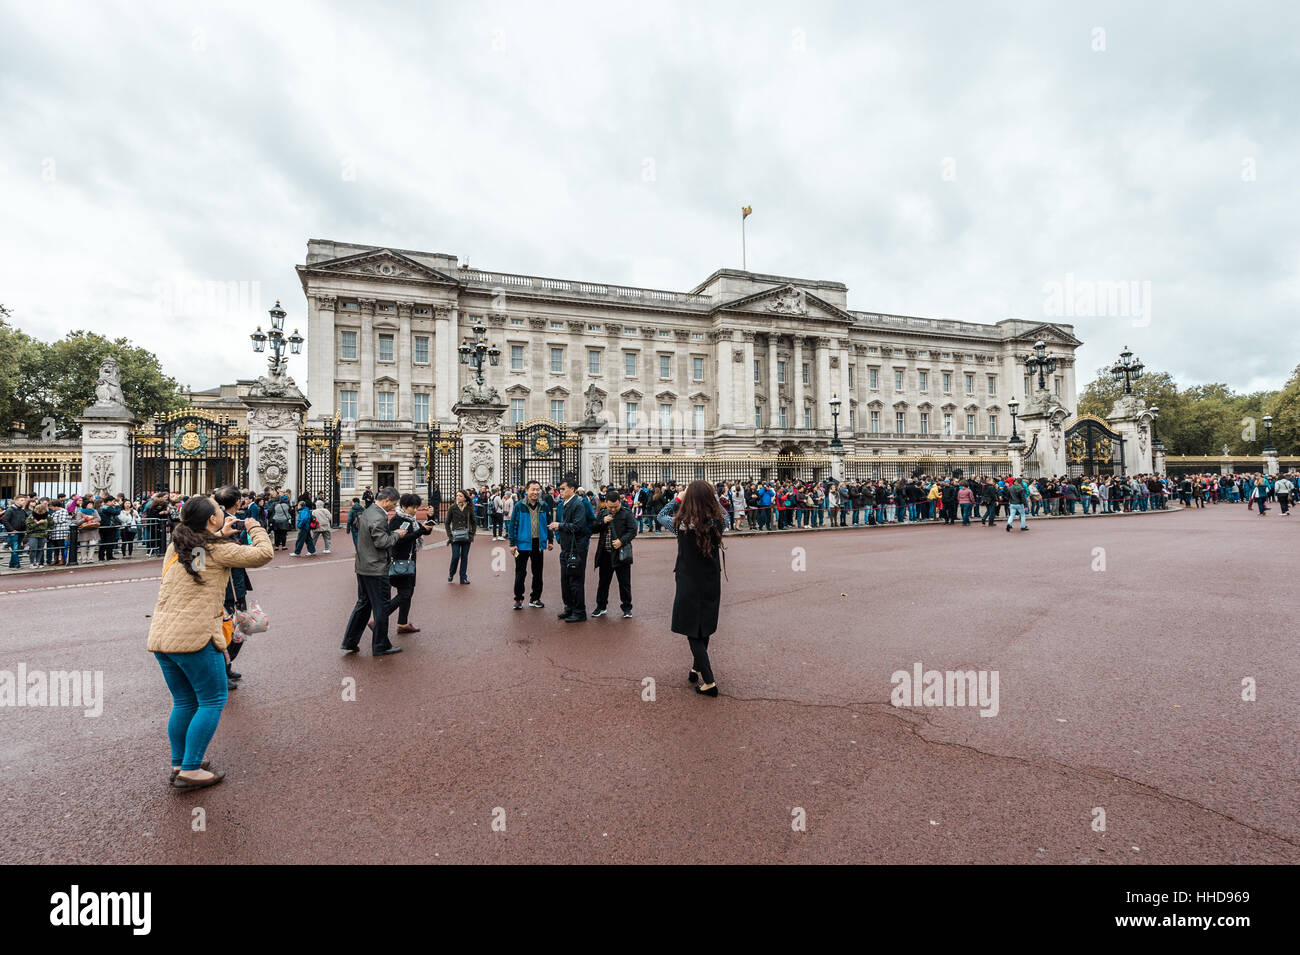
(957, 160)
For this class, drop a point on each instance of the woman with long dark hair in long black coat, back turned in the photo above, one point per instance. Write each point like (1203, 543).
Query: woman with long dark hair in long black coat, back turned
(699, 520)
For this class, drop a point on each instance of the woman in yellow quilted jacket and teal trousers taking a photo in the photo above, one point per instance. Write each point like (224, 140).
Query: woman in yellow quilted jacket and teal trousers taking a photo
(187, 633)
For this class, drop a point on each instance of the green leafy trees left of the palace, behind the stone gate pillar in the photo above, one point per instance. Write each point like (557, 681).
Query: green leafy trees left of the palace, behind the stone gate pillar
(58, 379)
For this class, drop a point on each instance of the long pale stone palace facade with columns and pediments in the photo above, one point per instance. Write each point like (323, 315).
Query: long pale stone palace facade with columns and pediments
(746, 368)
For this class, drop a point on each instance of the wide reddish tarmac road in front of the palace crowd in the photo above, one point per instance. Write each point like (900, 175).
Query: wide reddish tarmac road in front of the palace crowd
(1119, 691)
